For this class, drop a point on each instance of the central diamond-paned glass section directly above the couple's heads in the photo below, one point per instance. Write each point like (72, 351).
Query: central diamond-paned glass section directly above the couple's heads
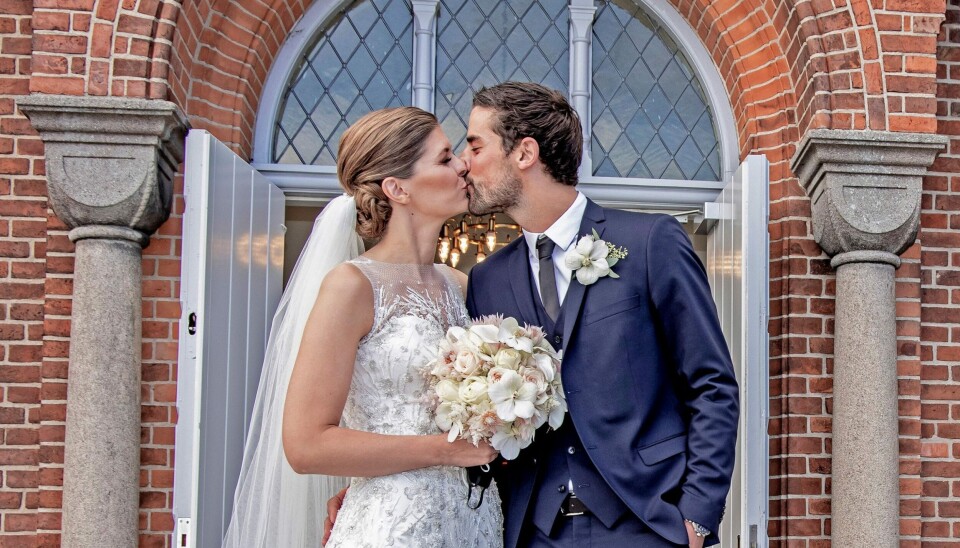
(482, 43)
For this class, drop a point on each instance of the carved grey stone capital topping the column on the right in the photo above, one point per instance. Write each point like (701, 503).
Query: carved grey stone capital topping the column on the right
(865, 186)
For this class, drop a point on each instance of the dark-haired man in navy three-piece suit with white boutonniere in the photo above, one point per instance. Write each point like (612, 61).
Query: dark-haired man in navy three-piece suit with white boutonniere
(645, 456)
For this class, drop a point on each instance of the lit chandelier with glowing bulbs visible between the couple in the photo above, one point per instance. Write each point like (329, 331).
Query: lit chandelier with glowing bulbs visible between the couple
(481, 234)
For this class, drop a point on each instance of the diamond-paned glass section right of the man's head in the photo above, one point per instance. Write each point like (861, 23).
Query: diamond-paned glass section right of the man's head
(650, 115)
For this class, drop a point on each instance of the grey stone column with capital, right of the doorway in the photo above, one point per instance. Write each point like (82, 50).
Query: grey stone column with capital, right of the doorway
(865, 188)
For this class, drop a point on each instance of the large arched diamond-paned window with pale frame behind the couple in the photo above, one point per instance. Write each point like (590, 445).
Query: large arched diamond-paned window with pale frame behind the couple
(655, 112)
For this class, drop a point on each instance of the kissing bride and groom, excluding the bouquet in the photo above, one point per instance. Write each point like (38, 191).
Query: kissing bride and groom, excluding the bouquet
(645, 454)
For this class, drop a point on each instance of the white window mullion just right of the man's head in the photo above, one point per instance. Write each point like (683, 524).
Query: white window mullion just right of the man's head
(581, 70)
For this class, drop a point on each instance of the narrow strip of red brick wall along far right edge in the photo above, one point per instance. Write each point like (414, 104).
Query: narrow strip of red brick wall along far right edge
(940, 309)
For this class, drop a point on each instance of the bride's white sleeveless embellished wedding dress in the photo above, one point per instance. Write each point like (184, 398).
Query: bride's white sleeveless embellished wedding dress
(413, 307)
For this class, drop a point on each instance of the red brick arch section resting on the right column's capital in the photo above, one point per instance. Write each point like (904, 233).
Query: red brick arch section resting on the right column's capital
(857, 70)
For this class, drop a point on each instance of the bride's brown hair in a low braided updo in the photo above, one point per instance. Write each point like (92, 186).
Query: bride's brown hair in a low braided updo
(384, 143)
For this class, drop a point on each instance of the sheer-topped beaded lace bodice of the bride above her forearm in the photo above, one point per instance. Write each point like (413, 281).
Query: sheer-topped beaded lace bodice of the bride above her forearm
(413, 307)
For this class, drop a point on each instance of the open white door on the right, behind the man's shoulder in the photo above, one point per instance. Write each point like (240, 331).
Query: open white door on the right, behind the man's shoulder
(738, 252)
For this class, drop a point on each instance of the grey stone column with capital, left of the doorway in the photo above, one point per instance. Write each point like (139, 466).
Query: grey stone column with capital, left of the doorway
(110, 164)
